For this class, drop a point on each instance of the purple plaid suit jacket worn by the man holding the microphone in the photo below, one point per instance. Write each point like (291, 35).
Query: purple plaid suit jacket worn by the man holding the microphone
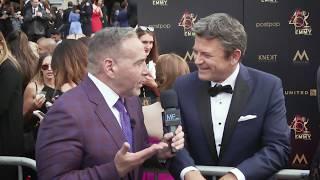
(80, 136)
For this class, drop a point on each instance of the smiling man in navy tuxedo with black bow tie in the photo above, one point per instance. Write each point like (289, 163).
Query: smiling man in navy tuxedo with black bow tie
(232, 115)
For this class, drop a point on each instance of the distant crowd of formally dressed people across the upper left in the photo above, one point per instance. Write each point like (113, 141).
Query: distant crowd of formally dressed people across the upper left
(38, 18)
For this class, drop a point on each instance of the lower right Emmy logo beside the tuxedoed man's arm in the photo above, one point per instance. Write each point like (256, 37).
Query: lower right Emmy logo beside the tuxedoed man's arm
(300, 127)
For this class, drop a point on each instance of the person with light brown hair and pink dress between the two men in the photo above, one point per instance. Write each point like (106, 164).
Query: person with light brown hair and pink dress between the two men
(168, 68)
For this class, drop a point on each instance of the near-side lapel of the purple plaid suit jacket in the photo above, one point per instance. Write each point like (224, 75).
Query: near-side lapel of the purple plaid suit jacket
(103, 112)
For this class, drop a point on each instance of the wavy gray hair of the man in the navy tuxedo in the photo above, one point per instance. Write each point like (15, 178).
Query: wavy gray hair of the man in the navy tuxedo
(225, 28)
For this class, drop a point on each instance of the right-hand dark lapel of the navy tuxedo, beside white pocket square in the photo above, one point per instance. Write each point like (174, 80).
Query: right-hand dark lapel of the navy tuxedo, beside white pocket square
(239, 100)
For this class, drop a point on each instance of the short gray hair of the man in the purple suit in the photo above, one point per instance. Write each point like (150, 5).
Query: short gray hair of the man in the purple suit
(107, 43)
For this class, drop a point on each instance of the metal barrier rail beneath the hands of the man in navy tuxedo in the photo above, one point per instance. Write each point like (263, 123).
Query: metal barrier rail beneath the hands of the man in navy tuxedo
(283, 174)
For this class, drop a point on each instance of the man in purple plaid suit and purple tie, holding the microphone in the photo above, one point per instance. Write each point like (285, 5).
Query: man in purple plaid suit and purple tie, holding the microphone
(96, 130)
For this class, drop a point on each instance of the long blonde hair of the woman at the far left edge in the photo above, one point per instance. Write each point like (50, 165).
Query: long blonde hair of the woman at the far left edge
(6, 55)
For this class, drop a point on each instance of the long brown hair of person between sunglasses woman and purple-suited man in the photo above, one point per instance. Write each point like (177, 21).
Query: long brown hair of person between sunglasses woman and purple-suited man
(69, 64)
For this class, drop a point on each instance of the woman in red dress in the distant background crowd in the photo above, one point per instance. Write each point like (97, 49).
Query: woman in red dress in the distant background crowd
(96, 17)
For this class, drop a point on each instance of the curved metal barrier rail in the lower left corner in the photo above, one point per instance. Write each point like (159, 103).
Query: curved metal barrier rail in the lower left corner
(18, 161)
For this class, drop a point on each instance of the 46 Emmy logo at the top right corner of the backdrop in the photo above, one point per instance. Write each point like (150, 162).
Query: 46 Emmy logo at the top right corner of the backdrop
(299, 20)
